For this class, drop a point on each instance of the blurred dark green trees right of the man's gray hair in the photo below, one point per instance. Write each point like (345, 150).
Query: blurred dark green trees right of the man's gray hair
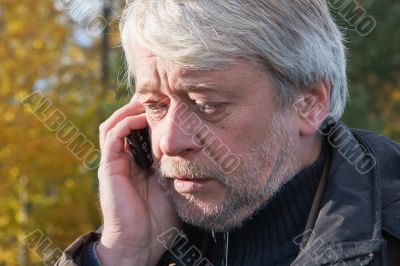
(374, 68)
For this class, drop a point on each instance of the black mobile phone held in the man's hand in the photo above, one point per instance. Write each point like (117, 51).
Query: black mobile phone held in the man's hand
(140, 146)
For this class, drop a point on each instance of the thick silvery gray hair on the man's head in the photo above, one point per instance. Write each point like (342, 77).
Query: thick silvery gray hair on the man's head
(297, 41)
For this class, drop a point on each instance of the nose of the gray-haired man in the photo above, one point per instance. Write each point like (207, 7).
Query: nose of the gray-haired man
(178, 134)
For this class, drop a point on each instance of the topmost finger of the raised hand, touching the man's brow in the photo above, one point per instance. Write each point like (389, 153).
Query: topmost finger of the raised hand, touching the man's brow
(132, 108)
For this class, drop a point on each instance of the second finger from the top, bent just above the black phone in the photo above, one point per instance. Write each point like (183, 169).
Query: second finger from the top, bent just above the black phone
(115, 138)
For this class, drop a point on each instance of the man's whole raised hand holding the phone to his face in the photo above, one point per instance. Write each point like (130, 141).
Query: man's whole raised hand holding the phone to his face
(134, 208)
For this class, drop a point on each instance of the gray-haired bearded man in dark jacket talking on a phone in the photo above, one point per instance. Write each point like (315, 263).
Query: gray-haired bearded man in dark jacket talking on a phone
(251, 165)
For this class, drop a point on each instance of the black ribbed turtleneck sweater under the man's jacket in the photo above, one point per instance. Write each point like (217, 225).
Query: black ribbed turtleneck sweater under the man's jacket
(271, 236)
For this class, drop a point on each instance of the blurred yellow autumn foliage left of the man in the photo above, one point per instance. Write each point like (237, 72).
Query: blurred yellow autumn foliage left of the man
(43, 185)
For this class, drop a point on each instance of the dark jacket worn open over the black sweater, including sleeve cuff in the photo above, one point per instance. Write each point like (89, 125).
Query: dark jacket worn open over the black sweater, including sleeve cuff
(355, 217)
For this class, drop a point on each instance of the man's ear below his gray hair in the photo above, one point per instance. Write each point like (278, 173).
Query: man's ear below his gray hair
(313, 107)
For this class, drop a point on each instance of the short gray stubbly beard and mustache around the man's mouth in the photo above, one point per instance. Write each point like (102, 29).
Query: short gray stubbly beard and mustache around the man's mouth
(261, 175)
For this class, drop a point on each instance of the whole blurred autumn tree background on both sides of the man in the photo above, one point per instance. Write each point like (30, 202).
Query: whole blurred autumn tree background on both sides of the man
(62, 74)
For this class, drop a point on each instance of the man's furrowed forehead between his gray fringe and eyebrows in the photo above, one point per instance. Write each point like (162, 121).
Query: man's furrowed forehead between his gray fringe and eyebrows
(153, 72)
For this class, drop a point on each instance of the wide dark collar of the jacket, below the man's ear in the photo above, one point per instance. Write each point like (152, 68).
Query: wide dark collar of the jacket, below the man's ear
(348, 224)
